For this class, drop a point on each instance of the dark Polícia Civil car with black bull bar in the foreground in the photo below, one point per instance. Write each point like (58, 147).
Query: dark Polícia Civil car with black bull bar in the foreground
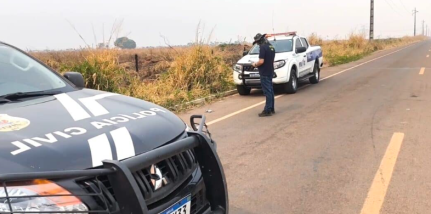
(66, 149)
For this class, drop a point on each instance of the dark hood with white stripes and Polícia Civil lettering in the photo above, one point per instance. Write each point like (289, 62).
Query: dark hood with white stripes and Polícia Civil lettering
(78, 130)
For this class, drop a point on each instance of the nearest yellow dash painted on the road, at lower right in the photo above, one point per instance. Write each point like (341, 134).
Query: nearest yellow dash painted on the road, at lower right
(376, 194)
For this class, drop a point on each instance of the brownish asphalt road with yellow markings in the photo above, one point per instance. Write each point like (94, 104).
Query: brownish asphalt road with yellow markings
(358, 142)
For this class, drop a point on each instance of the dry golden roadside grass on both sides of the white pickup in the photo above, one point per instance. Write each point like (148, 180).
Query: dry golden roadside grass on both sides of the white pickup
(172, 76)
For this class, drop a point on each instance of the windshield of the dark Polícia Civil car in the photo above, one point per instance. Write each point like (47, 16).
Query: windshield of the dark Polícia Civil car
(21, 73)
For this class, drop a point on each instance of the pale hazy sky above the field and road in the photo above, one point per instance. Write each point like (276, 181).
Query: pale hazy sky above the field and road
(49, 24)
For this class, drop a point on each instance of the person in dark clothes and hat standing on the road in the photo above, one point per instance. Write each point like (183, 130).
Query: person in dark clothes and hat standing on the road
(266, 71)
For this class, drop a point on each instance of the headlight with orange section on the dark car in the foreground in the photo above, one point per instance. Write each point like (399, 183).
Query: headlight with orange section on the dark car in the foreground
(47, 202)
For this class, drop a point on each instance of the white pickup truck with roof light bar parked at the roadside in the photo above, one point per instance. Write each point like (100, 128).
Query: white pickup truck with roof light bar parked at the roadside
(294, 60)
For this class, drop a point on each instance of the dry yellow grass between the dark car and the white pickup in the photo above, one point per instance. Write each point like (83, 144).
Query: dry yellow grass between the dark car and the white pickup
(172, 76)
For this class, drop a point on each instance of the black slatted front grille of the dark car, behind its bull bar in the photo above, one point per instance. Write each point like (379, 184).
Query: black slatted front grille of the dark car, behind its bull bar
(176, 171)
